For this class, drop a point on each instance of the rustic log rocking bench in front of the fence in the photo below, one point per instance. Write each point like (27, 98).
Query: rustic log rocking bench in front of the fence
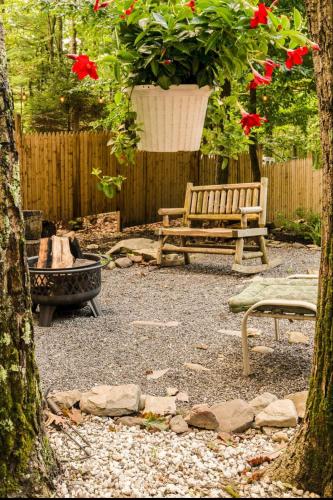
(237, 213)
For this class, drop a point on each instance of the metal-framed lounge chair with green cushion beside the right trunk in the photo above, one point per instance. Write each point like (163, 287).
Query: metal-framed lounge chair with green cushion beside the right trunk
(293, 298)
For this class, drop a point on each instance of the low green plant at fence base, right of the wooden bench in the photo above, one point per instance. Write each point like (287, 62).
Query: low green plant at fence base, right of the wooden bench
(306, 225)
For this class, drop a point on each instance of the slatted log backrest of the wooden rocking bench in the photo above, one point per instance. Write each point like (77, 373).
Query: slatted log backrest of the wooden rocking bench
(222, 202)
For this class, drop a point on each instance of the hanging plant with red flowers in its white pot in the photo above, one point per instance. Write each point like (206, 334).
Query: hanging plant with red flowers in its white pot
(200, 43)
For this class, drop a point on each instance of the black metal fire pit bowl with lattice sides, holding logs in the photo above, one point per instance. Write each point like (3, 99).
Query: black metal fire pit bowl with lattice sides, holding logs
(56, 288)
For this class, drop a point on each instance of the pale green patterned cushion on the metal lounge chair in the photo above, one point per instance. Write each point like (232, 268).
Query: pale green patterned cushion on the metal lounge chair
(274, 289)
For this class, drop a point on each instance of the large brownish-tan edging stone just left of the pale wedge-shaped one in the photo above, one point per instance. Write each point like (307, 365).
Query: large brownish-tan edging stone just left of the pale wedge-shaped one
(233, 416)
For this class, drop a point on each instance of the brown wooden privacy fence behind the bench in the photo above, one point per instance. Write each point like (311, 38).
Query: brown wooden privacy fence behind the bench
(56, 178)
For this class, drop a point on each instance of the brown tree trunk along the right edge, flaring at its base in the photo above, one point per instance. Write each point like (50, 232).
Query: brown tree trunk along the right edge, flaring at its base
(309, 459)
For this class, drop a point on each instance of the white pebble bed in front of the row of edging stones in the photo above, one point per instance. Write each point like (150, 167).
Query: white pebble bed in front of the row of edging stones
(129, 462)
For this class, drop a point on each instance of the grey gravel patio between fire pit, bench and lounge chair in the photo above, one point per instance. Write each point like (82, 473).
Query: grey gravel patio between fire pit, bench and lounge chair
(78, 352)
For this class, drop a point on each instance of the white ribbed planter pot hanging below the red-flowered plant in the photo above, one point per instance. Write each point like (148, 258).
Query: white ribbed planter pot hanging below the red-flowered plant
(172, 120)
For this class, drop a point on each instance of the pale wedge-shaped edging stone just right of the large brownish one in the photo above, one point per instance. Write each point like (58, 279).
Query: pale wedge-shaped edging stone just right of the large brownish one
(280, 413)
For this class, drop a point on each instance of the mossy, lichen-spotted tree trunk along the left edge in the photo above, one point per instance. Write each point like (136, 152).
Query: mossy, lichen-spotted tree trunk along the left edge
(26, 461)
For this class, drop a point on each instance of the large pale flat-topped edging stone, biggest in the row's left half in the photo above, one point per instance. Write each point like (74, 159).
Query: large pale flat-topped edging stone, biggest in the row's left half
(111, 401)
